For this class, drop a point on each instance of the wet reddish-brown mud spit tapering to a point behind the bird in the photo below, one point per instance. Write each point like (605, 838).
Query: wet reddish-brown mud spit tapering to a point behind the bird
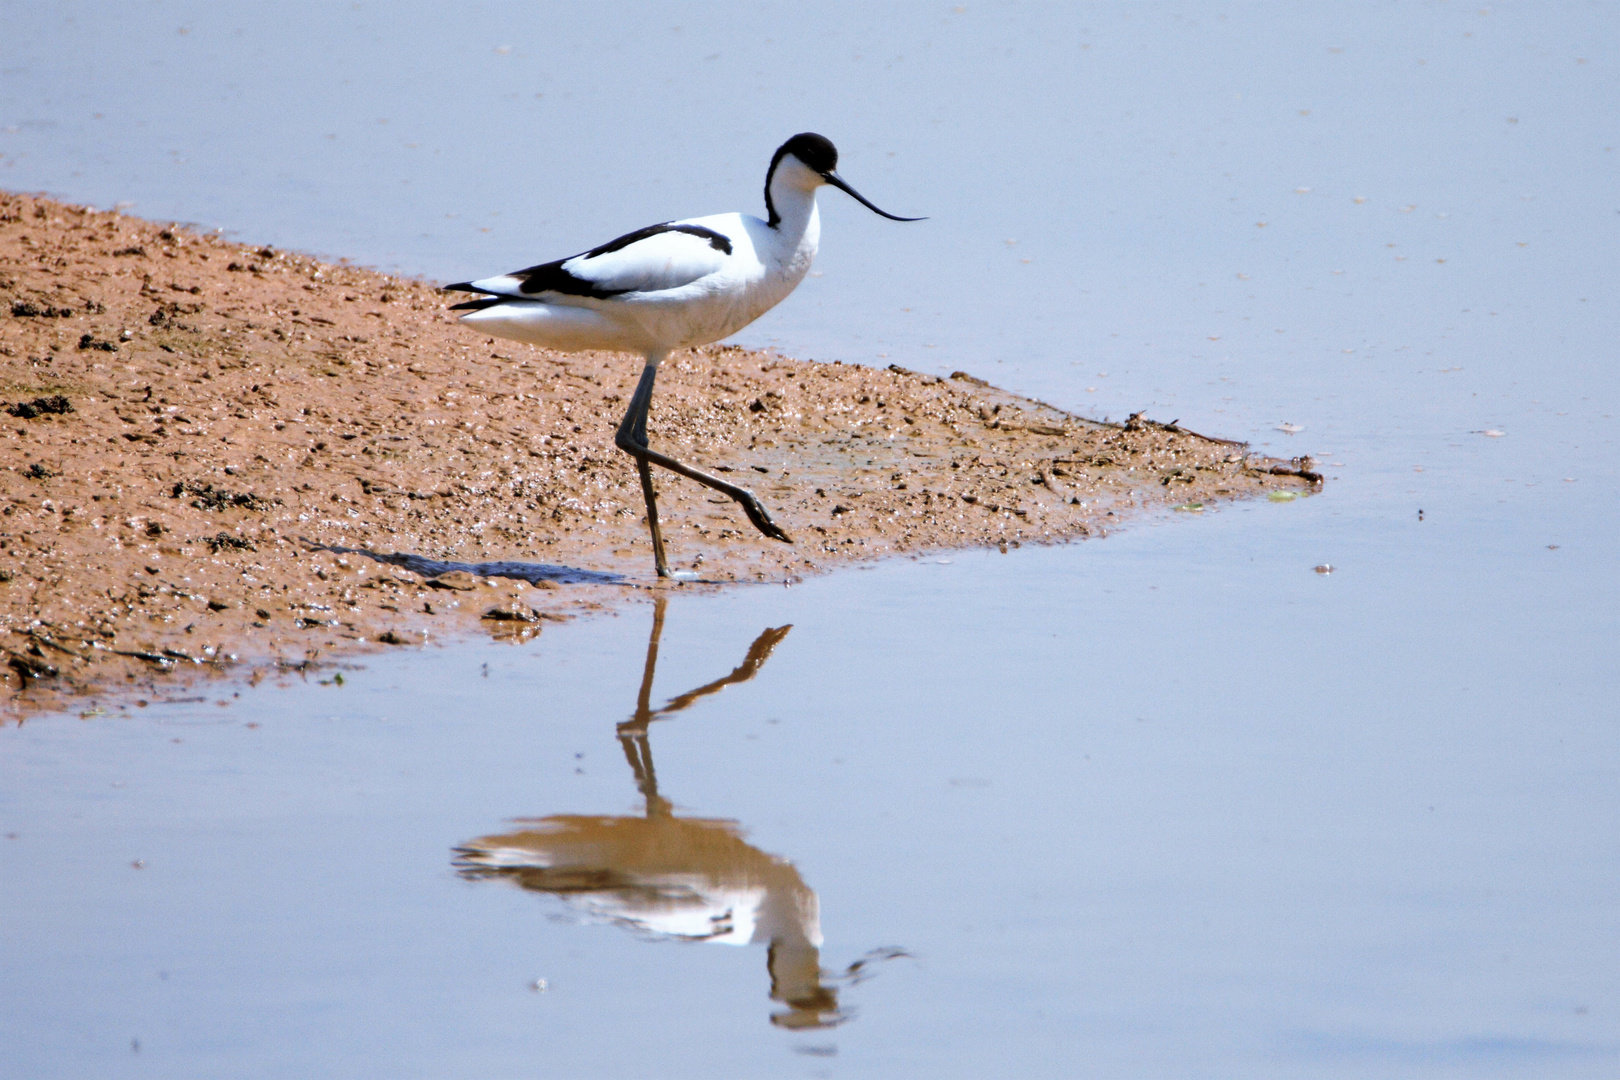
(221, 456)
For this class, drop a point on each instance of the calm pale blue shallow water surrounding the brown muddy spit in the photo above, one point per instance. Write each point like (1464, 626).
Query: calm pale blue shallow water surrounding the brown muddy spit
(1166, 804)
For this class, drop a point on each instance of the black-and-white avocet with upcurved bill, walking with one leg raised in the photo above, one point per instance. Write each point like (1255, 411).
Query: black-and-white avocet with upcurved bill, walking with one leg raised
(667, 287)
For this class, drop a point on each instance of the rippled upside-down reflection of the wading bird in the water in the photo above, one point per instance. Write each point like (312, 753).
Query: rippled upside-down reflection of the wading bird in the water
(671, 877)
